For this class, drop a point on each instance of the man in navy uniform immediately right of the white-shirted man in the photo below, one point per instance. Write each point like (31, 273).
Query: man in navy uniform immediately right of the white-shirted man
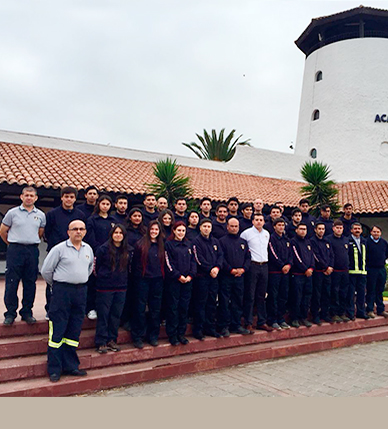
(279, 266)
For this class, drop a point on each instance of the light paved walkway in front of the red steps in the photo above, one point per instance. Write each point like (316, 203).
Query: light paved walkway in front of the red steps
(361, 370)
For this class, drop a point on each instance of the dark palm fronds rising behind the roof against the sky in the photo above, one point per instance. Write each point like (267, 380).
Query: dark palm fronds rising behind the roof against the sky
(216, 148)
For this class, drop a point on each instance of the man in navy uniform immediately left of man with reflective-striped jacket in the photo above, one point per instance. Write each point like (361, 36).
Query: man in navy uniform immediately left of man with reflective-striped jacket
(340, 275)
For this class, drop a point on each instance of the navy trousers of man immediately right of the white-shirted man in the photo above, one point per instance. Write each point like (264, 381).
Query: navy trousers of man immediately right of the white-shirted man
(278, 287)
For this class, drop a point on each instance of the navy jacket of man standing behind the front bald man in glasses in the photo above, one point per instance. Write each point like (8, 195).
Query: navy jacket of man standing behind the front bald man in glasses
(57, 222)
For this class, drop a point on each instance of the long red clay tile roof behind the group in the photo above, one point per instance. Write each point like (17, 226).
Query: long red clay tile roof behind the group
(54, 168)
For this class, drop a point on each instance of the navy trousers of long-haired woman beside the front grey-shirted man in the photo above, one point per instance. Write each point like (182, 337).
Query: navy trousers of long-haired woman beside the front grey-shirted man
(109, 306)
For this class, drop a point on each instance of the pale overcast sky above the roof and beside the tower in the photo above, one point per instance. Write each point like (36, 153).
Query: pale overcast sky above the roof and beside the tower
(149, 74)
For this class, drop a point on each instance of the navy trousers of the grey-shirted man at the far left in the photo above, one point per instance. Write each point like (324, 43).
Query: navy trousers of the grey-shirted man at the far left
(22, 264)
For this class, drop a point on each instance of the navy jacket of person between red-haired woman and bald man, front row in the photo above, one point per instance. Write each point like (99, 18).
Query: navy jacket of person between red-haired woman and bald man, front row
(208, 254)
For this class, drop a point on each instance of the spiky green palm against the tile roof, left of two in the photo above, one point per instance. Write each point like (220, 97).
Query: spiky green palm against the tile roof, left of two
(169, 183)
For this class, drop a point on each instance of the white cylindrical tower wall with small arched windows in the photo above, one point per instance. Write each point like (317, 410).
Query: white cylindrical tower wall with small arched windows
(353, 90)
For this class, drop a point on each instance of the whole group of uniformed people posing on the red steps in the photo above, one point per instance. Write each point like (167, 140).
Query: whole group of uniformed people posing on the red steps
(154, 264)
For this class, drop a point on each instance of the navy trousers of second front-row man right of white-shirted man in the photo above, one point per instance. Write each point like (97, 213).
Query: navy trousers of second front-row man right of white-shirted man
(300, 296)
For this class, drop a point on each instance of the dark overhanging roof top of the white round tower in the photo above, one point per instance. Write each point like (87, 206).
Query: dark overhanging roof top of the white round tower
(351, 24)
